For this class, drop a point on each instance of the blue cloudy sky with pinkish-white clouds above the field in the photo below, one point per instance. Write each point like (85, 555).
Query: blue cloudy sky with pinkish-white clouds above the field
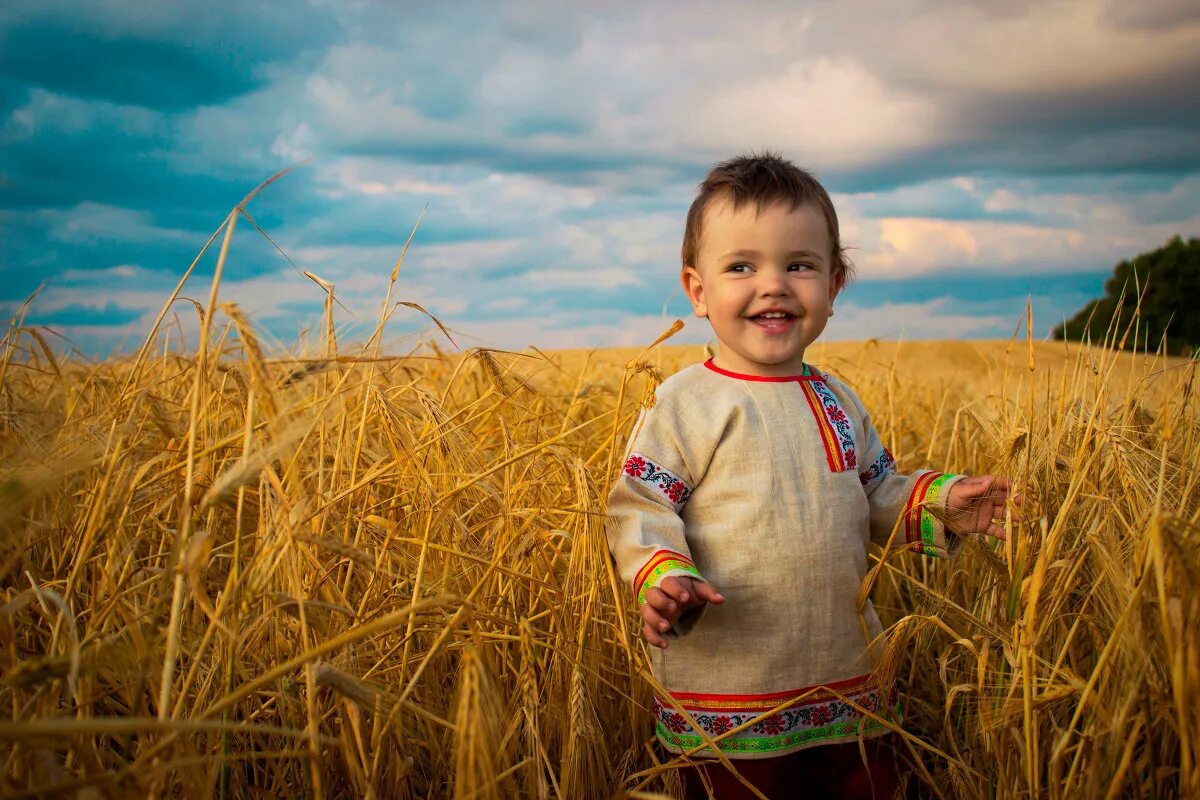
(977, 154)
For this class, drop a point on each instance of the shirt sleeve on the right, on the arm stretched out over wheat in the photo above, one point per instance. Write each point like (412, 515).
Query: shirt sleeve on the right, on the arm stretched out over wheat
(916, 502)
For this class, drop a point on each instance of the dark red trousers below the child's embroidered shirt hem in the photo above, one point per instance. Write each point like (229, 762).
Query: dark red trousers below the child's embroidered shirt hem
(825, 772)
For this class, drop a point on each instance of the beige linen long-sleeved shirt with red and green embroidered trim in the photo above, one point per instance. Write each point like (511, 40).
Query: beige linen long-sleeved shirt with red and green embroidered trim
(771, 490)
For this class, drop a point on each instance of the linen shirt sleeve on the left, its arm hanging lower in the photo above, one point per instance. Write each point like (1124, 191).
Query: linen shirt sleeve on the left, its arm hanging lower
(645, 531)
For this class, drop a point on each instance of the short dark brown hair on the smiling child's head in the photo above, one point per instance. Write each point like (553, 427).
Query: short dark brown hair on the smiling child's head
(764, 179)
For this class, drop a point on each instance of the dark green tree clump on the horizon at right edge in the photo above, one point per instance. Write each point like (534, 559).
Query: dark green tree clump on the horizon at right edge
(1169, 280)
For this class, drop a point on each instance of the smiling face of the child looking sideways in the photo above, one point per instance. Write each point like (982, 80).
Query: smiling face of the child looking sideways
(758, 261)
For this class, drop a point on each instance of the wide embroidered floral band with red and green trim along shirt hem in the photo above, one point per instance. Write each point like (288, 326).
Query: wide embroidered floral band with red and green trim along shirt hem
(819, 717)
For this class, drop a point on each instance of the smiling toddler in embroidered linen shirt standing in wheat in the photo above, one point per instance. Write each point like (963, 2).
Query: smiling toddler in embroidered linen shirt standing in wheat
(751, 492)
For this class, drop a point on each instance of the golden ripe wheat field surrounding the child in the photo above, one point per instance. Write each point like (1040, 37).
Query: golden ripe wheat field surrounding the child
(338, 573)
